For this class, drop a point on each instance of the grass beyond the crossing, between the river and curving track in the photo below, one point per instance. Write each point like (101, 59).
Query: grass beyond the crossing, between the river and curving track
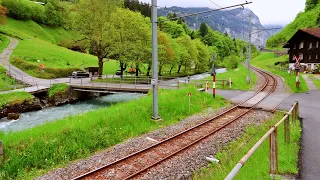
(238, 77)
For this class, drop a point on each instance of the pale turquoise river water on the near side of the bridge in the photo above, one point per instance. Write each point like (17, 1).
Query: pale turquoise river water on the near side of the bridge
(32, 119)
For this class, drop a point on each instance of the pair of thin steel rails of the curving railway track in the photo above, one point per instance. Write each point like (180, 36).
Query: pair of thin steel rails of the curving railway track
(188, 130)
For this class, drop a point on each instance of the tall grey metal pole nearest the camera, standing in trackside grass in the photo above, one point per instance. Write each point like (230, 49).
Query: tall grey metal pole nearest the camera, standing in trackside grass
(154, 81)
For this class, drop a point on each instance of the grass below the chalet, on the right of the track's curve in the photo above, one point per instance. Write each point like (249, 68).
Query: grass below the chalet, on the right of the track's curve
(265, 60)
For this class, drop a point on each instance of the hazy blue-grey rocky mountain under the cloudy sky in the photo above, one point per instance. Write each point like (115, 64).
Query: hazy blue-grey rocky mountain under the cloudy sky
(234, 22)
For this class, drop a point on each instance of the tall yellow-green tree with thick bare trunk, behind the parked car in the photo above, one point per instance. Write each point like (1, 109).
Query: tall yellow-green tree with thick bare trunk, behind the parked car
(94, 23)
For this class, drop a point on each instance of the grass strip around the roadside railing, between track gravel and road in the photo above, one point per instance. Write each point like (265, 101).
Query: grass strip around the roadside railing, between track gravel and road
(257, 167)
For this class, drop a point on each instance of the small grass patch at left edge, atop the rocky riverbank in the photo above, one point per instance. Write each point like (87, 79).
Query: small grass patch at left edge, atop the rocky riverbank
(14, 98)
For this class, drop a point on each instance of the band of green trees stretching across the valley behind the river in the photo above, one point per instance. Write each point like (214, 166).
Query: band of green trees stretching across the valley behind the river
(121, 30)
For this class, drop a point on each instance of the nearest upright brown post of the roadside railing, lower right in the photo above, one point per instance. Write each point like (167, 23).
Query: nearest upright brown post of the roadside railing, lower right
(273, 141)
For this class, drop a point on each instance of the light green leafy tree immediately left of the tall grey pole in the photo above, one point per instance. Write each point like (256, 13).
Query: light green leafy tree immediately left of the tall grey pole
(131, 40)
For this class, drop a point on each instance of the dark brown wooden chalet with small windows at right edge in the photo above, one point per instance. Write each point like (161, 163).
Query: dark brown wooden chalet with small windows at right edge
(305, 44)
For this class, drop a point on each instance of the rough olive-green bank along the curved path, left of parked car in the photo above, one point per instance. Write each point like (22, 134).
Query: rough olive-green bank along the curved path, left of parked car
(46, 73)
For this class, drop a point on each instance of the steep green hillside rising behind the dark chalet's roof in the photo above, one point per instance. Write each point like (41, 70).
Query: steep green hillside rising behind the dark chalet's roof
(306, 19)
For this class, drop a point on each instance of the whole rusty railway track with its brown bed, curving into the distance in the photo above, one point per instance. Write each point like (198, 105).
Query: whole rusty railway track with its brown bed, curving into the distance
(139, 162)
